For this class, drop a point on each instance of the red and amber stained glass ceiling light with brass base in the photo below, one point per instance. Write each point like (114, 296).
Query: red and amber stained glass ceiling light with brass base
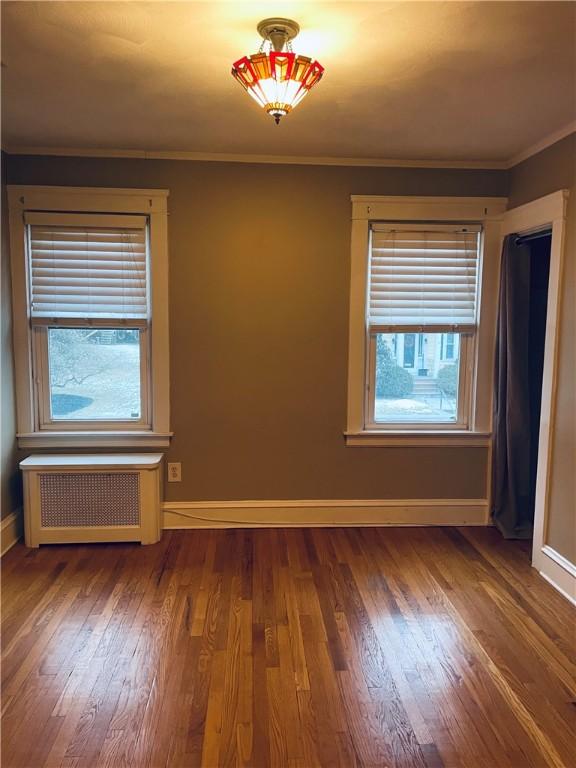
(276, 77)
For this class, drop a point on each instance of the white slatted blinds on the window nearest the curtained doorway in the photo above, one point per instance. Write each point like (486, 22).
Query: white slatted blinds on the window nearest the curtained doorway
(423, 277)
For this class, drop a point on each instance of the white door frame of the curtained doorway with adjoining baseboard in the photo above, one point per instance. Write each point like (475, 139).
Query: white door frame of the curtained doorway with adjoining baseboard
(547, 212)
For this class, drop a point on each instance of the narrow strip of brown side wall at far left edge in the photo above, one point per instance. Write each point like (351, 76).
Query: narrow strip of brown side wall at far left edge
(10, 493)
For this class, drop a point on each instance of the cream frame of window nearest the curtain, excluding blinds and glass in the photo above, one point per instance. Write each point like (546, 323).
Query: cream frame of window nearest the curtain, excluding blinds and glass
(474, 422)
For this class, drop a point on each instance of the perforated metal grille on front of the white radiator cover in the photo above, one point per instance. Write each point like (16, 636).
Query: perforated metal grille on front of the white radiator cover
(89, 499)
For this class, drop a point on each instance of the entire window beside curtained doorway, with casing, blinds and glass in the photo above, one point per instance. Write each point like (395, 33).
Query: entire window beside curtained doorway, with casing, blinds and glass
(416, 329)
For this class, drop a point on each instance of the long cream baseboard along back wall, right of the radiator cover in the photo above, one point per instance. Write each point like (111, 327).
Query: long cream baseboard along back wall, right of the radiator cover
(323, 513)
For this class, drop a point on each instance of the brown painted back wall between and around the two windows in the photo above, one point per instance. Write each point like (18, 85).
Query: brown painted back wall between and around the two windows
(259, 263)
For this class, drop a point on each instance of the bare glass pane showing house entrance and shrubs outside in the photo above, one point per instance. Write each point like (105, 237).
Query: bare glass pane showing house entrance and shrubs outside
(417, 377)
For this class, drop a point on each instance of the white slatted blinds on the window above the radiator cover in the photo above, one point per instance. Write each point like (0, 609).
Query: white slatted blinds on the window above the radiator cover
(88, 267)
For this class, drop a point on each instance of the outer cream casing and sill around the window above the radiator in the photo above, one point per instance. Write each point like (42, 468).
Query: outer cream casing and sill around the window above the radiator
(153, 204)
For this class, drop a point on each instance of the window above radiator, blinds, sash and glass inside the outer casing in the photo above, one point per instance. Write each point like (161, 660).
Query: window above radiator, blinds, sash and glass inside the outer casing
(88, 278)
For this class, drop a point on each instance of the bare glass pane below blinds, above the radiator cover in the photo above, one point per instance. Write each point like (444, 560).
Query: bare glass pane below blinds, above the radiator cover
(94, 374)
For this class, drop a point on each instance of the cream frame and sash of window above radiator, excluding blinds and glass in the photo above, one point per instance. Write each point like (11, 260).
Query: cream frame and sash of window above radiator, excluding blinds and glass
(35, 427)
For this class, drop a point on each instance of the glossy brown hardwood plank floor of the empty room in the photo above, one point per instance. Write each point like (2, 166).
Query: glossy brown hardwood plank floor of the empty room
(335, 647)
